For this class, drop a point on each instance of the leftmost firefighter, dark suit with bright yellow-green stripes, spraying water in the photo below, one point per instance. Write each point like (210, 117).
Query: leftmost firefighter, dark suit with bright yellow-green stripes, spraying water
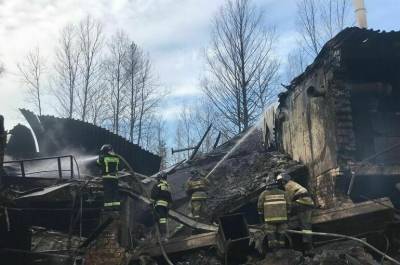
(109, 163)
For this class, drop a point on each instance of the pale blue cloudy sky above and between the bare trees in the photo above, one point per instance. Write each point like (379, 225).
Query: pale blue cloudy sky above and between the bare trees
(173, 32)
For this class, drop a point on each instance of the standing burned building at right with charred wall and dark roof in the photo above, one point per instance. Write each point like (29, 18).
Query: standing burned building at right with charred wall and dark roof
(341, 117)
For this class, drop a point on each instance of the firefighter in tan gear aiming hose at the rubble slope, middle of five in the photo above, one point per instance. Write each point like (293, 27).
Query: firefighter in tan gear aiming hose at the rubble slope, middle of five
(196, 188)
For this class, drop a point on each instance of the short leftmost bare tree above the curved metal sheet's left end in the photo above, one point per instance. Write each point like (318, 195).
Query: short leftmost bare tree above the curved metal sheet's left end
(32, 71)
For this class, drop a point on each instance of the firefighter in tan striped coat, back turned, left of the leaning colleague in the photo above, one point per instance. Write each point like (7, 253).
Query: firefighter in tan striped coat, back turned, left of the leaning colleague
(272, 206)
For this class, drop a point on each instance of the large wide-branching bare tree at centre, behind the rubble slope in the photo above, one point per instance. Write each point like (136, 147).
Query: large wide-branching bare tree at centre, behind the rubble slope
(240, 64)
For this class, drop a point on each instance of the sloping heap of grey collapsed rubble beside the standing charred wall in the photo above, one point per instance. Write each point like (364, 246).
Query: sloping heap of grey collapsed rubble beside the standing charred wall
(238, 180)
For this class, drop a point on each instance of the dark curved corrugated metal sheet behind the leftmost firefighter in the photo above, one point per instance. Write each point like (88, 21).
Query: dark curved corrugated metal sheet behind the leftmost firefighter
(58, 135)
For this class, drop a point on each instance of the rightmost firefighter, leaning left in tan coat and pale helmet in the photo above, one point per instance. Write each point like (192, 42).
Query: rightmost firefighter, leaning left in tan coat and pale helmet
(300, 205)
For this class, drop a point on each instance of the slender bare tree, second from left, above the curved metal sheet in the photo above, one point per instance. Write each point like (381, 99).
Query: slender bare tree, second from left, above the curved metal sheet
(66, 70)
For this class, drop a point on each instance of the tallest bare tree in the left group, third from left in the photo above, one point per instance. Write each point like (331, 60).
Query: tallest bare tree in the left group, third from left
(91, 42)
